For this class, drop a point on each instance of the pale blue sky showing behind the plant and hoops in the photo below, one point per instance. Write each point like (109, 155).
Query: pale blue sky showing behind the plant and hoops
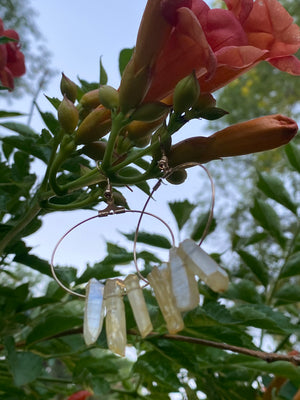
(77, 34)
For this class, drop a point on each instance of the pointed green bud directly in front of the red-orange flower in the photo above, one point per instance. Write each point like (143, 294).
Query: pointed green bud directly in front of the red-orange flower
(186, 93)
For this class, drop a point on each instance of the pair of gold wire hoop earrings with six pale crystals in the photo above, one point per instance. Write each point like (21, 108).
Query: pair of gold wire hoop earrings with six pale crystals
(173, 282)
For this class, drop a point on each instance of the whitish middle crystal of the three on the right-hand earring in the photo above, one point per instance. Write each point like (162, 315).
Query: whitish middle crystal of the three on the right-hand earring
(184, 284)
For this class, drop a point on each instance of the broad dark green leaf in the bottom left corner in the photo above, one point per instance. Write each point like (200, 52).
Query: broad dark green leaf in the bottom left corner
(25, 366)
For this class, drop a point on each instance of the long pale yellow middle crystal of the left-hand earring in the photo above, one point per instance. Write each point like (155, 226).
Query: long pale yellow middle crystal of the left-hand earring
(115, 316)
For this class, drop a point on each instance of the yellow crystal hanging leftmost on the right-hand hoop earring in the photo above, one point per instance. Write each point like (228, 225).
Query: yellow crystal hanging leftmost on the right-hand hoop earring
(159, 279)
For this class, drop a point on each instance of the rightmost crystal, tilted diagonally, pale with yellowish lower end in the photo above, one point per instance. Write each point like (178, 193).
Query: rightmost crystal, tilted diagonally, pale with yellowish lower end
(202, 265)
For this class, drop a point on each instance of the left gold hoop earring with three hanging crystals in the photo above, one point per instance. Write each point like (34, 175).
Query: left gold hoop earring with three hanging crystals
(109, 297)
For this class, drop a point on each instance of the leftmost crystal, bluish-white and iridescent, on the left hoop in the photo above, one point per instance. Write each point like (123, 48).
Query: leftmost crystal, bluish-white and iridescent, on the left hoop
(93, 312)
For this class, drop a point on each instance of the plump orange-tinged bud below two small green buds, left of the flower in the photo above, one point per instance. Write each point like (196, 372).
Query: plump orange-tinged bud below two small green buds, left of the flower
(96, 125)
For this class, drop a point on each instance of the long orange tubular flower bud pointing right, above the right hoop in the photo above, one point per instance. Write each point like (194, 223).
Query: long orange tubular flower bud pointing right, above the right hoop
(259, 134)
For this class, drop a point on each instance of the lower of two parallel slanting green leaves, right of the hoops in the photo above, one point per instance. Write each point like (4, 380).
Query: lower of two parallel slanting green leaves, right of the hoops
(268, 219)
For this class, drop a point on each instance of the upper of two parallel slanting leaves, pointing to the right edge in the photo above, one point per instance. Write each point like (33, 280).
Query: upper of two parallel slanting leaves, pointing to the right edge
(273, 187)
